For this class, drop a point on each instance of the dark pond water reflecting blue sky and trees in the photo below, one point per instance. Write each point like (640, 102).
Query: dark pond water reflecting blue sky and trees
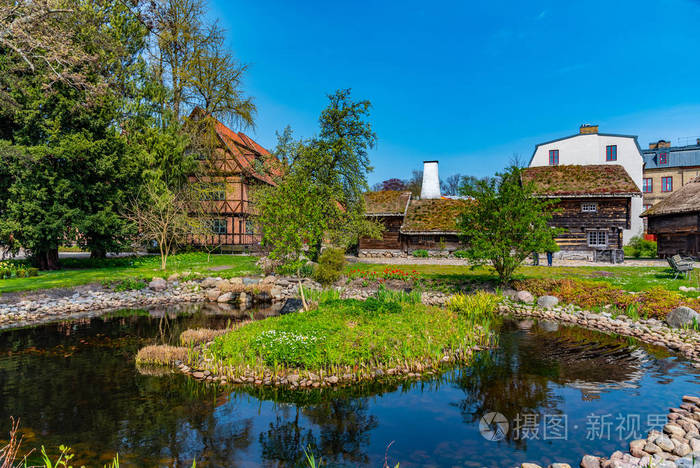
(564, 391)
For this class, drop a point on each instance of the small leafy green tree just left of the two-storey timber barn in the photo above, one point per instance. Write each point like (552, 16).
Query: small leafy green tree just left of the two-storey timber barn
(506, 223)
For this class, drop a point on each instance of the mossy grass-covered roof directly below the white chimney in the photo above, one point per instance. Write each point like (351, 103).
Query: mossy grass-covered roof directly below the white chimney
(435, 215)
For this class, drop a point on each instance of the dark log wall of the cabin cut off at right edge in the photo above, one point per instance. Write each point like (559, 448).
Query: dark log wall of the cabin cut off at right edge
(676, 234)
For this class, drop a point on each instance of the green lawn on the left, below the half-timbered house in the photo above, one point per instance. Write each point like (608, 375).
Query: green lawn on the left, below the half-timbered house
(83, 271)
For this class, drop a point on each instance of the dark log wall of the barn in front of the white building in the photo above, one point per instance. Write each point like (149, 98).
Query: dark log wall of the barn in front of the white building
(576, 215)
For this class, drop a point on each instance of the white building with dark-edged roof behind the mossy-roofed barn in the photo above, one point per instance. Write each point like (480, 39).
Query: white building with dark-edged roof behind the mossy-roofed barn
(590, 147)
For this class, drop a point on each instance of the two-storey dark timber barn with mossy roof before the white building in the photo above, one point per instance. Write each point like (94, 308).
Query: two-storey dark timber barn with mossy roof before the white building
(594, 207)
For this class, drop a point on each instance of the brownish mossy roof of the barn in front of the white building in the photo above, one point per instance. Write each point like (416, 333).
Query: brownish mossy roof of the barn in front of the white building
(576, 180)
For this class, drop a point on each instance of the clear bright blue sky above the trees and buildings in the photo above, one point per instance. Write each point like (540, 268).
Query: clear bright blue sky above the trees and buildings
(471, 83)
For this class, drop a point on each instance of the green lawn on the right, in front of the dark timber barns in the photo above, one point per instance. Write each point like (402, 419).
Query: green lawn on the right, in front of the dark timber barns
(627, 278)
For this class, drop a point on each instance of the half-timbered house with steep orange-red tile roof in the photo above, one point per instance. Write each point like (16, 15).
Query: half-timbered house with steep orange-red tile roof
(236, 166)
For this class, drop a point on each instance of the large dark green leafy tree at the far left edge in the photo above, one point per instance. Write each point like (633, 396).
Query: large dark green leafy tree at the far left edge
(70, 168)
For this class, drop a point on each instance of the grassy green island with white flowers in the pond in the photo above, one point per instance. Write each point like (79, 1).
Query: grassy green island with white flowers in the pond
(349, 340)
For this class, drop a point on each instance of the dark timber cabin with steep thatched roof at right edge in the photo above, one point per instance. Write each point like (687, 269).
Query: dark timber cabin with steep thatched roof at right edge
(676, 221)
